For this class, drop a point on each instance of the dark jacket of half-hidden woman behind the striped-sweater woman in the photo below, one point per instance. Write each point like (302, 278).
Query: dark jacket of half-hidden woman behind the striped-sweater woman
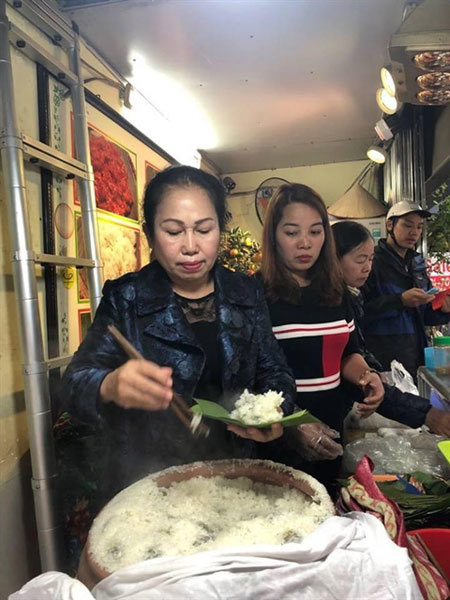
(400, 406)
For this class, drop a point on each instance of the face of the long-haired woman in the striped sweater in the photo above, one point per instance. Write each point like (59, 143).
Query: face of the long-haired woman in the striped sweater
(299, 236)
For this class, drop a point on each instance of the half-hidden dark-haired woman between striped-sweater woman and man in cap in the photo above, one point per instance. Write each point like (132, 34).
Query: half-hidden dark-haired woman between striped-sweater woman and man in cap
(355, 249)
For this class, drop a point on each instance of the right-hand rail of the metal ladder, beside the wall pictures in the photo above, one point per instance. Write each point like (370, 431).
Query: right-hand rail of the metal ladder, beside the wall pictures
(86, 187)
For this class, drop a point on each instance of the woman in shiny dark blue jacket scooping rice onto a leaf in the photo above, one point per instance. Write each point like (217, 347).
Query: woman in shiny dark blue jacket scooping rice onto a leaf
(203, 331)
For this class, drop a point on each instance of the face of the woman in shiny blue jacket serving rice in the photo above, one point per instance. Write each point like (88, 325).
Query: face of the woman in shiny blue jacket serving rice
(186, 234)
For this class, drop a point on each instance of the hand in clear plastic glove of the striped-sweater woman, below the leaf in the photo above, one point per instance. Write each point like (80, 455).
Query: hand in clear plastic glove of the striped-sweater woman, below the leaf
(315, 441)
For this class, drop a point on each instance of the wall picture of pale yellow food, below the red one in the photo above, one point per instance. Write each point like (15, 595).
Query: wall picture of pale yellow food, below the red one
(119, 247)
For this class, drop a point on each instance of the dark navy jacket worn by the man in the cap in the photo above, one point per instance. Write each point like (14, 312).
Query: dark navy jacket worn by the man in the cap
(393, 331)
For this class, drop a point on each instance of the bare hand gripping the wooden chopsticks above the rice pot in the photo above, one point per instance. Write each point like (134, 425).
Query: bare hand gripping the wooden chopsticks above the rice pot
(138, 384)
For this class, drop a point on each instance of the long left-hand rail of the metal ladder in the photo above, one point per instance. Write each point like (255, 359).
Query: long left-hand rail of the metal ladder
(37, 397)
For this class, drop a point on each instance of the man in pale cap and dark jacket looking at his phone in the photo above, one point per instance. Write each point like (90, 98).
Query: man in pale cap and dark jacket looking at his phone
(397, 307)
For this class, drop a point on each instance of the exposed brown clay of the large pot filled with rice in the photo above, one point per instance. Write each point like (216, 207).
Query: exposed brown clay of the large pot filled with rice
(263, 471)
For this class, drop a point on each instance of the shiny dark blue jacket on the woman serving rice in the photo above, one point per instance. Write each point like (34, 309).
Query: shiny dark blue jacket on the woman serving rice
(144, 308)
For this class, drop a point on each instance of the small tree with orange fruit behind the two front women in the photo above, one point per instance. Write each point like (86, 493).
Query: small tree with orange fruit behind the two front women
(239, 251)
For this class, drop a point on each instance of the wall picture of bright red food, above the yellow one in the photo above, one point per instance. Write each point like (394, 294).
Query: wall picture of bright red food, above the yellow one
(112, 176)
